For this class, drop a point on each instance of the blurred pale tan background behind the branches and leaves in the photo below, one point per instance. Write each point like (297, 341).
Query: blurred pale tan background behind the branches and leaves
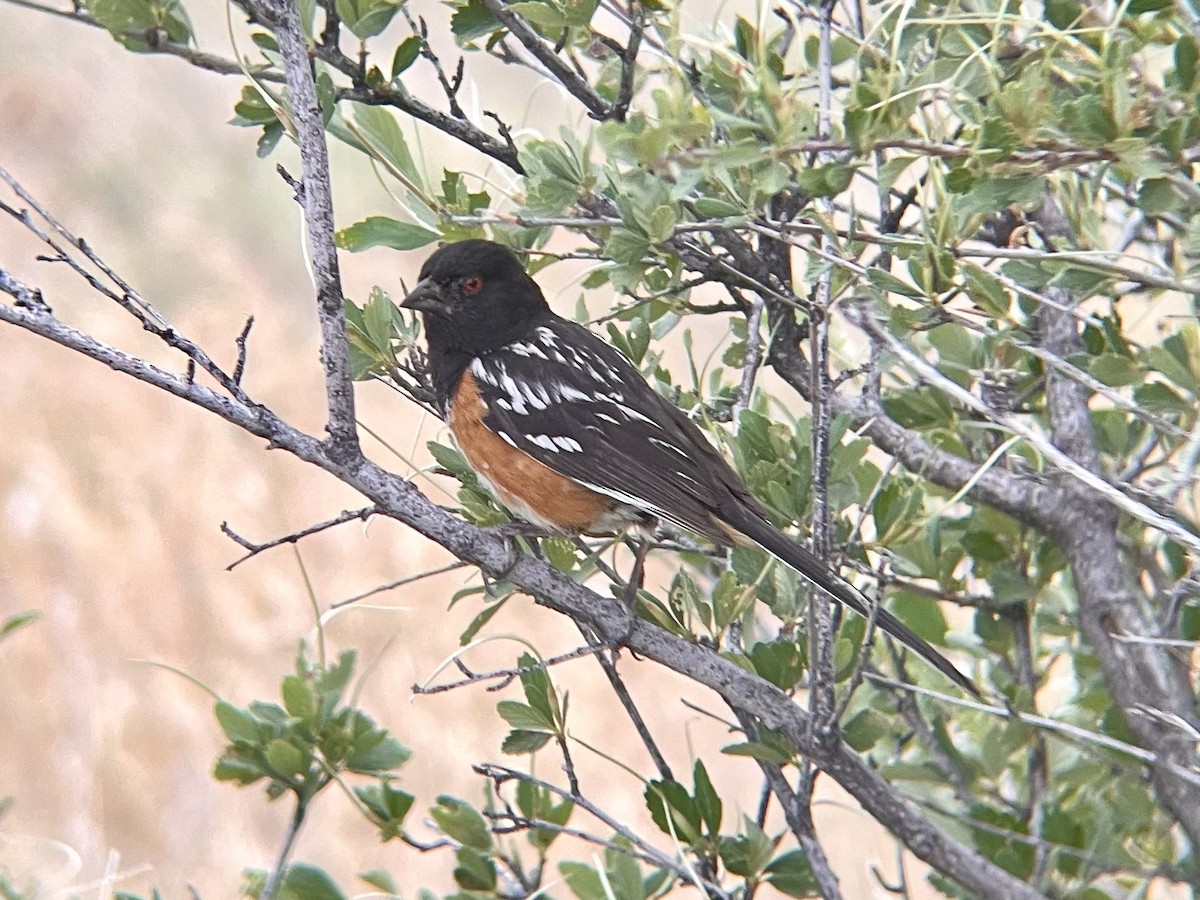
(112, 495)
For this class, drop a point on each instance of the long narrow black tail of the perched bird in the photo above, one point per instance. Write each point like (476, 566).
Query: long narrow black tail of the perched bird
(817, 572)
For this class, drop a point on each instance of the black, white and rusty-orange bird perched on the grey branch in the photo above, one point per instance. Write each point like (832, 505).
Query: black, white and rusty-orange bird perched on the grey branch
(571, 437)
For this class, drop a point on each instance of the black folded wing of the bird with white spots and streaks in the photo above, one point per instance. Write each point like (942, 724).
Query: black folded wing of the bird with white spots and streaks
(579, 406)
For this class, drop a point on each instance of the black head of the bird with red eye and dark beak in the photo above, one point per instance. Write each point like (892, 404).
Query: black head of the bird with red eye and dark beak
(475, 298)
